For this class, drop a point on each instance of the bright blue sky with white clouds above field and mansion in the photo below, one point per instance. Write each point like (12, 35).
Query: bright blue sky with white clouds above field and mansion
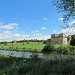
(31, 19)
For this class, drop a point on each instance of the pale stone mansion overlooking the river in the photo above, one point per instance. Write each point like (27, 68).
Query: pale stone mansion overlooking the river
(60, 38)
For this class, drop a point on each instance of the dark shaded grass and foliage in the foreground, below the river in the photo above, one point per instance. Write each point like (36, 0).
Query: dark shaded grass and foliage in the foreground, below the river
(22, 66)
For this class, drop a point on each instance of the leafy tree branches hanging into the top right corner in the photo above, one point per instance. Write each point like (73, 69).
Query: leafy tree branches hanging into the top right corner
(66, 7)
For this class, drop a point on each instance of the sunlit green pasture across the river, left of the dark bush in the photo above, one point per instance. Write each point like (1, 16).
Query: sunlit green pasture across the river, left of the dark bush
(25, 46)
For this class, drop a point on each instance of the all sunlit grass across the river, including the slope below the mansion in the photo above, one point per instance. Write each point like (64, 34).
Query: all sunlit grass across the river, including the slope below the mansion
(34, 47)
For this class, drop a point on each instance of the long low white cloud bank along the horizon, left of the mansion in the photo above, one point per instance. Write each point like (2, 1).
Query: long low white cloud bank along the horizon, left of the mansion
(10, 36)
